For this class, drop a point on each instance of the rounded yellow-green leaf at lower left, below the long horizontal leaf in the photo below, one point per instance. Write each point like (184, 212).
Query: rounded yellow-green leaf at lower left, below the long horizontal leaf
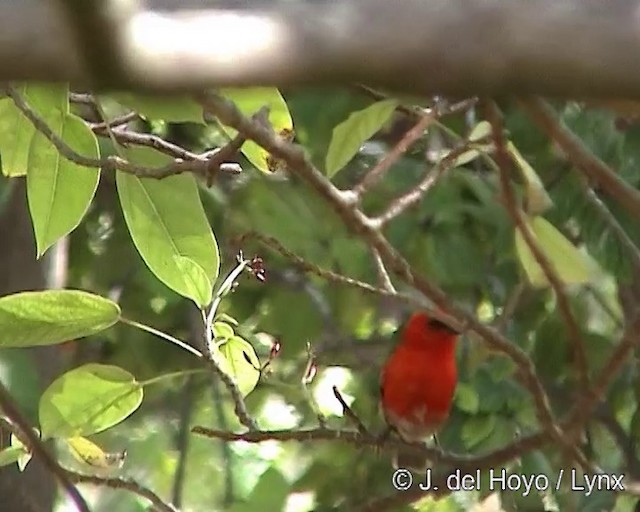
(88, 400)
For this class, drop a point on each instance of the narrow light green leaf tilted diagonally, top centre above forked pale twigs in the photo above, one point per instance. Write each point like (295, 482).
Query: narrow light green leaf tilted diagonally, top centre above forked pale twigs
(349, 135)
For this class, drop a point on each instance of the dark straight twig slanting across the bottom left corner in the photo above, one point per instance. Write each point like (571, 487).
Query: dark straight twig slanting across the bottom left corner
(36, 446)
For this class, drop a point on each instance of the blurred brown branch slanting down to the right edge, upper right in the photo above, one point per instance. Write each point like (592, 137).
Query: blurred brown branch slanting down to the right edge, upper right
(590, 165)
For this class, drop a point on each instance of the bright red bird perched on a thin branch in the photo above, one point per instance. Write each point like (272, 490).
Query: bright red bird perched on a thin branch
(419, 378)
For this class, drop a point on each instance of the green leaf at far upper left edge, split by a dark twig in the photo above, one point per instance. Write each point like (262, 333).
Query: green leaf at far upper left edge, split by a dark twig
(16, 131)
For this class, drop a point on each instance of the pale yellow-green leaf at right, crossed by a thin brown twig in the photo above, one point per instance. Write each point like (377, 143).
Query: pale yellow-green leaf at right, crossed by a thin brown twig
(572, 265)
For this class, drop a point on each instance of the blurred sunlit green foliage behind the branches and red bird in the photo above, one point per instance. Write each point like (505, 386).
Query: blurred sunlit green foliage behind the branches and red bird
(459, 236)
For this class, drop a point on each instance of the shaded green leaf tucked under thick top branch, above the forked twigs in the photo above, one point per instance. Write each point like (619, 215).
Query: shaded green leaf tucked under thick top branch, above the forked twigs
(168, 108)
